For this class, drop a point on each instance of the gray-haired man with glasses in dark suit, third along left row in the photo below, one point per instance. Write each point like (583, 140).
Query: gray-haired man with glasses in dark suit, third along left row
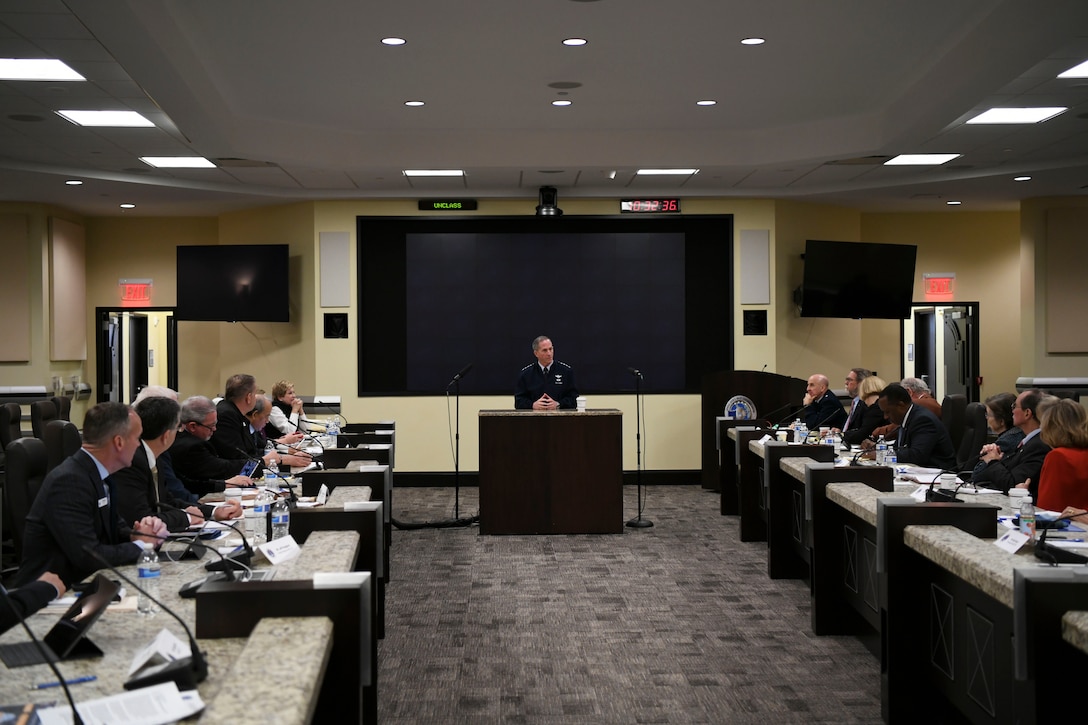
(196, 462)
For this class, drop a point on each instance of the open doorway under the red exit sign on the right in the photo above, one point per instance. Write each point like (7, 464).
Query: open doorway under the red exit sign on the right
(941, 346)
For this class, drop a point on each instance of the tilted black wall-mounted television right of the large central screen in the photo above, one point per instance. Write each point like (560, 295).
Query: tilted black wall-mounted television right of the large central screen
(858, 280)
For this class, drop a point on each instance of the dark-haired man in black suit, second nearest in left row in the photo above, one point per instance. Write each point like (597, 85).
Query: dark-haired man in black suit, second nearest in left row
(139, 489)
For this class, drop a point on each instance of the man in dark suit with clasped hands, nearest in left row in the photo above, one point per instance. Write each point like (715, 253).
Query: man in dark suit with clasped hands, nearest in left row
(73, 511)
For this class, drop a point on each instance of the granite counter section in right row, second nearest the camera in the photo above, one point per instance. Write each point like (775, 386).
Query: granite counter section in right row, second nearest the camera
(976, 561)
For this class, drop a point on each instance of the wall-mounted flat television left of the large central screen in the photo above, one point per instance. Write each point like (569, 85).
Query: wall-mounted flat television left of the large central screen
(233, 284)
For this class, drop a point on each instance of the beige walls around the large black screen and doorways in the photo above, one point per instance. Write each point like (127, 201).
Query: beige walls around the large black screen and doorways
(985, 251)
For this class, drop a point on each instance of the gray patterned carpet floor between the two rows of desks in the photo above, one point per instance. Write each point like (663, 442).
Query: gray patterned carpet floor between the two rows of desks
(674, 624)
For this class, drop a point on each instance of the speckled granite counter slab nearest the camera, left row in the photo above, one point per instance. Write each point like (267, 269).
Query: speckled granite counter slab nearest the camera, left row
(287, 689)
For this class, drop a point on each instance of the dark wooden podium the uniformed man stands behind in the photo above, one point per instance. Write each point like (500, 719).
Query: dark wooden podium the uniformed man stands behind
(545, 472)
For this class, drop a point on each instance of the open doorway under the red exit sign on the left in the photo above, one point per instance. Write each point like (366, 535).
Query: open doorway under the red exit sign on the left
(135, 348)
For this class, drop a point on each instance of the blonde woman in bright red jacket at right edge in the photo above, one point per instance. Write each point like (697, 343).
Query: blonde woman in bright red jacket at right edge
(1064, 481)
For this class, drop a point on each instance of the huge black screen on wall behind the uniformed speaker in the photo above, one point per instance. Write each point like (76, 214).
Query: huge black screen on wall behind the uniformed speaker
(612, 293)
